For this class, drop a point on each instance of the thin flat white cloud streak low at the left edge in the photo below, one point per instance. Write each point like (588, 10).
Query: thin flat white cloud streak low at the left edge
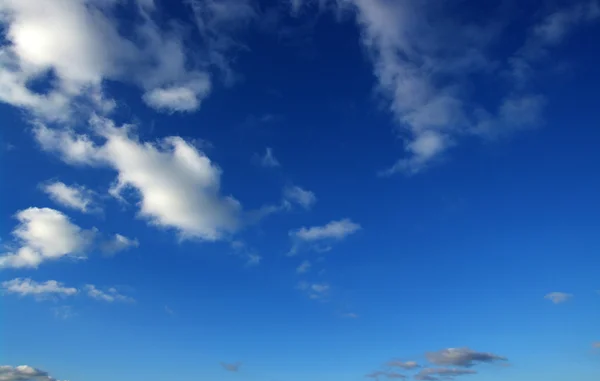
(53, 289)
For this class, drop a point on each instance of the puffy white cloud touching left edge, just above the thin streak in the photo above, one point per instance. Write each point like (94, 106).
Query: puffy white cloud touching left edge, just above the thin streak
(45, 234)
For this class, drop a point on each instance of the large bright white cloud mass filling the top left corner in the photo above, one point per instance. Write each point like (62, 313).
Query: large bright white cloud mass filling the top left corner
(92, 46)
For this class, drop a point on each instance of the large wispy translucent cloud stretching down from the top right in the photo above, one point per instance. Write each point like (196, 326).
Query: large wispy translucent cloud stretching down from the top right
(423, 58)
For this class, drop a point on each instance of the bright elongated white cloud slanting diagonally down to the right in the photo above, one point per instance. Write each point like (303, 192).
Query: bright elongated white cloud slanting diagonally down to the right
(179, 186)
